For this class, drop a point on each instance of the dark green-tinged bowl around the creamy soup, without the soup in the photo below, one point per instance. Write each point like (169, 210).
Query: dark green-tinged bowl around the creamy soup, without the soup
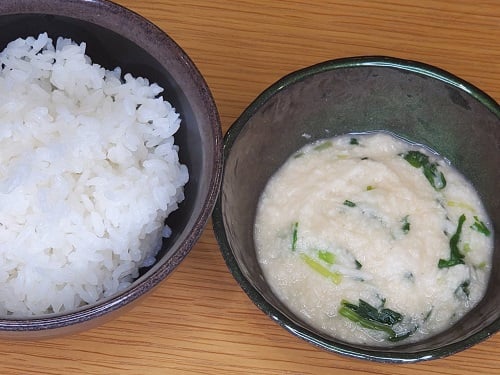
(420, 103)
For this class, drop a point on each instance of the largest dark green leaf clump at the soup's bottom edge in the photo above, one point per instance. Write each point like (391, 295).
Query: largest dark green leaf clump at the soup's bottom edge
(370, 317)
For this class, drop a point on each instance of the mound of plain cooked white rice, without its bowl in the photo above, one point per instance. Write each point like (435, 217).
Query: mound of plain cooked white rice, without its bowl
(88, 173)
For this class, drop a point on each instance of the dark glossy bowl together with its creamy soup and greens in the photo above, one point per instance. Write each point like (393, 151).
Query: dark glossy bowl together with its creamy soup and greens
(352, 229)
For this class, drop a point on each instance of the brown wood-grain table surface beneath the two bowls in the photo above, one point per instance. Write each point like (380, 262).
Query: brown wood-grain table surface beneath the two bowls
(199, 321)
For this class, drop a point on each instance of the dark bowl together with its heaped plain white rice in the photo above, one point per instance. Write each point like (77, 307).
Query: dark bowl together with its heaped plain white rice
(110, 164)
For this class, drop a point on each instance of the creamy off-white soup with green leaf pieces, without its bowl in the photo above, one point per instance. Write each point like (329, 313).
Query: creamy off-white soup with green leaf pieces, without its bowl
(373, 240)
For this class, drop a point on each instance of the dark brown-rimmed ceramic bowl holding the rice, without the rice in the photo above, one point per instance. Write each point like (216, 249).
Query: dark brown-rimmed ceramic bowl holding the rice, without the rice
(116, 36)
